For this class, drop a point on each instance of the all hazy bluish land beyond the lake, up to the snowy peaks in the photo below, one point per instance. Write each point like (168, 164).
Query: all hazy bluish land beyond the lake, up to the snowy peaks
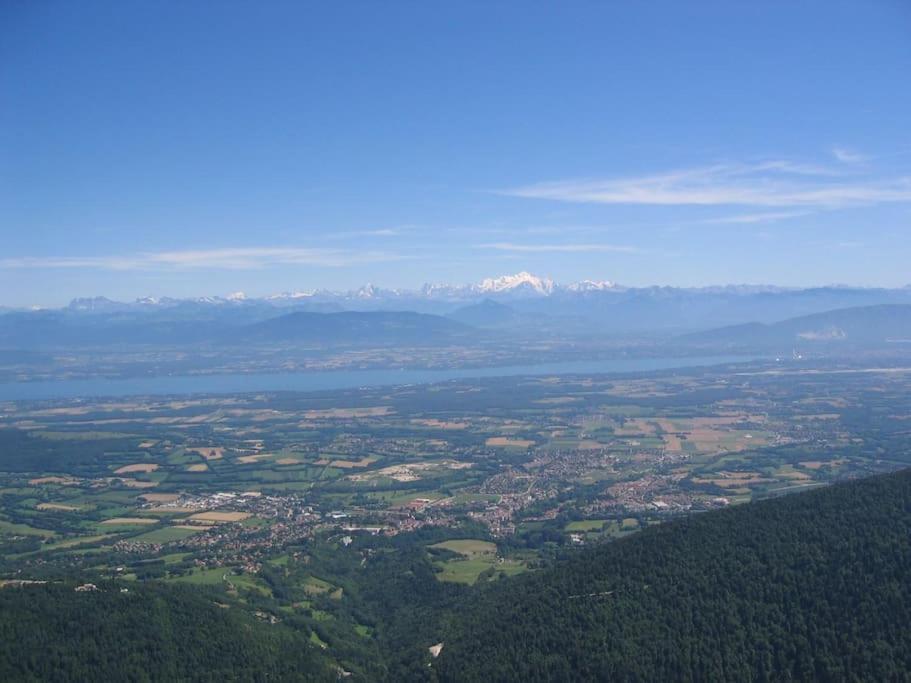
(519, 320)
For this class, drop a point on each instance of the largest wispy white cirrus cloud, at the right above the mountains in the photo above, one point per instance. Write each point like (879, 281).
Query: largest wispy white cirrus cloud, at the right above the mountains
(765, 184)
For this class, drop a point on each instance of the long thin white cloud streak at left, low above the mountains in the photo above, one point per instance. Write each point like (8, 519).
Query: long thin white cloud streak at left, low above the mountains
(238, 258)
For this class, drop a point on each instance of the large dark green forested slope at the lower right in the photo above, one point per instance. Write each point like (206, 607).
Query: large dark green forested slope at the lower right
(815, 586)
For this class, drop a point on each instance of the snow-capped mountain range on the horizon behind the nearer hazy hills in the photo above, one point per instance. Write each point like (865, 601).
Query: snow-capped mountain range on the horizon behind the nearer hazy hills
(519, 301)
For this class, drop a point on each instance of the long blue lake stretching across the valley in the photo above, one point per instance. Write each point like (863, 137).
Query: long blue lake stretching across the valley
(330, 379)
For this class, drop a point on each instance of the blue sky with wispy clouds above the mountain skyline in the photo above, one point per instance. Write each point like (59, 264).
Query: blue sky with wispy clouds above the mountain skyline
(151, 148)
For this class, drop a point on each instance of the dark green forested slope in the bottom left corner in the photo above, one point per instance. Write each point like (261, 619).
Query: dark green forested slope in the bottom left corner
(152, 632)
